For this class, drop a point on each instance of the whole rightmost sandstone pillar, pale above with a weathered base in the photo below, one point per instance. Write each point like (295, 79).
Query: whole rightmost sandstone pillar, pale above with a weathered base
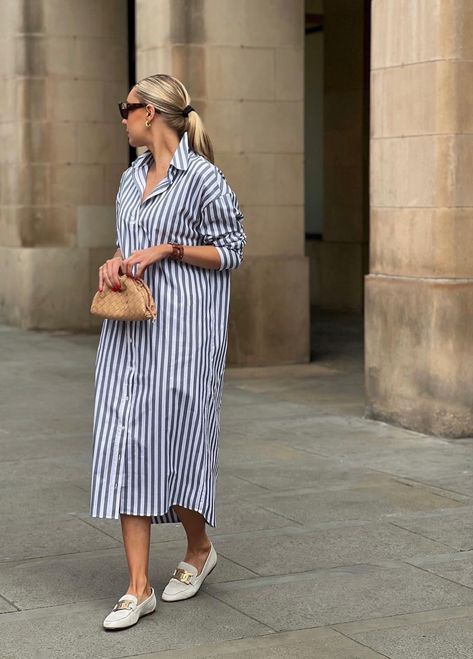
(419, 293)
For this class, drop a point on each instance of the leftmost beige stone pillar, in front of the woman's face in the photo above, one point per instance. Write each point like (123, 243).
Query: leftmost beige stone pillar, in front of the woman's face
(63, 67)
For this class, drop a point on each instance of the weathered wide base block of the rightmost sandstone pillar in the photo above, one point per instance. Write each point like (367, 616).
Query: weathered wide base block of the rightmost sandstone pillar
(418, 359)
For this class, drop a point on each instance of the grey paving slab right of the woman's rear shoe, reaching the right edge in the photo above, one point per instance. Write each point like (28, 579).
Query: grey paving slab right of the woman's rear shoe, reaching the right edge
(327, 597)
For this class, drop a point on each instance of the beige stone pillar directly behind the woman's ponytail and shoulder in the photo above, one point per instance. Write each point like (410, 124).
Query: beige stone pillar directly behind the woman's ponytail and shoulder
(242, 62)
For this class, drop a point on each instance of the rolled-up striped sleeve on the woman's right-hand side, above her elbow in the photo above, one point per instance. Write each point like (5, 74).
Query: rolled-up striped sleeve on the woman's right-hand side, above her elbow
(221, 226)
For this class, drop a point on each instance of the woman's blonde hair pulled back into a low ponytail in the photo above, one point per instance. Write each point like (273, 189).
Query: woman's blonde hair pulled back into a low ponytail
(169, 95)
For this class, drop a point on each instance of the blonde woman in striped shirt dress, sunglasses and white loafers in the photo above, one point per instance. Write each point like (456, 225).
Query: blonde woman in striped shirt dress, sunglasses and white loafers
(159, 384)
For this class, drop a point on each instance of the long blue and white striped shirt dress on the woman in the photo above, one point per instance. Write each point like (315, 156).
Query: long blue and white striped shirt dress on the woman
(158, 384)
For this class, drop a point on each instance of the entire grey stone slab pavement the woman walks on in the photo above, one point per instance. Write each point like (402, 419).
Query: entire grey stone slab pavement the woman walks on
(338, 537)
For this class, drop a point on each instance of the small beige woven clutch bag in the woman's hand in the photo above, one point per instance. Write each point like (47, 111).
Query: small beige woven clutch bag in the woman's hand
(133, 302)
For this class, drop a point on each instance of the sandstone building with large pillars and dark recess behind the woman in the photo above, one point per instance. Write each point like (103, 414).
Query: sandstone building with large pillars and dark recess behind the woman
(345, 128)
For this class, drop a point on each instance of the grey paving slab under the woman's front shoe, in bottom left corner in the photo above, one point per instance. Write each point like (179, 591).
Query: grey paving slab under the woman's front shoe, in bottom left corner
(75, 631)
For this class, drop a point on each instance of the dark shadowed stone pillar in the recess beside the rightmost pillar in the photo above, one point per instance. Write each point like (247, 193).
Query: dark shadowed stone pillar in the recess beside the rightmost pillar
(339, 261)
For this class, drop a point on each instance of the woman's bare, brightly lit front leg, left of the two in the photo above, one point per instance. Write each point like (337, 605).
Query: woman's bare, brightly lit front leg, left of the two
(136, 537)
